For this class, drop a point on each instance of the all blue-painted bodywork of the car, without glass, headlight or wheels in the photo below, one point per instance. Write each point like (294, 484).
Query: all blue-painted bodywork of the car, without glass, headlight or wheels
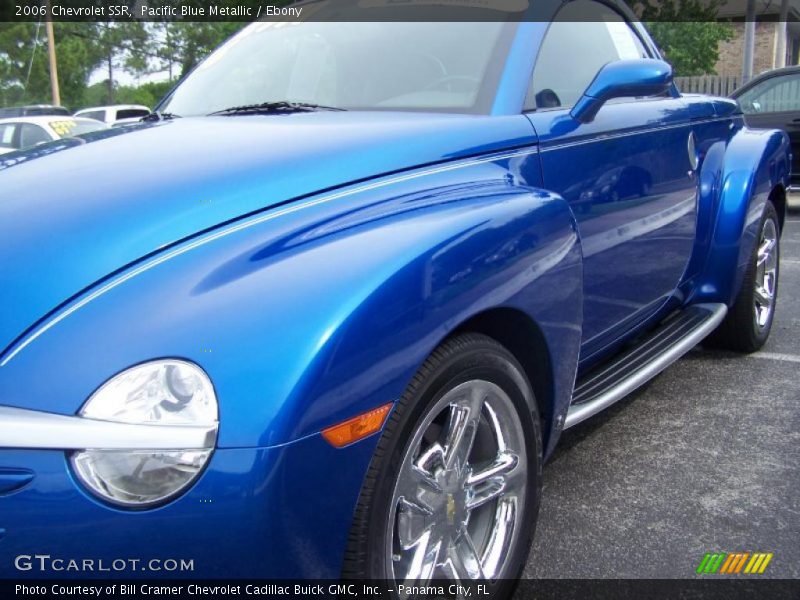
(311, 262)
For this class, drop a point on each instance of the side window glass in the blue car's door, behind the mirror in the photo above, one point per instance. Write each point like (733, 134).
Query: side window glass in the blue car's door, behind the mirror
(584, 37)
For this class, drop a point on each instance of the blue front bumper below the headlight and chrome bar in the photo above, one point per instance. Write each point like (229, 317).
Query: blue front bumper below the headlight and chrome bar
(241, 519)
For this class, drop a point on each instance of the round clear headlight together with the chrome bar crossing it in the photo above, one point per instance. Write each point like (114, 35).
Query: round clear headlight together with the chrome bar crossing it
(140, 440)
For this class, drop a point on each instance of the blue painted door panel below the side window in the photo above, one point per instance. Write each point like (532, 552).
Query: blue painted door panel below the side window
(625, 176)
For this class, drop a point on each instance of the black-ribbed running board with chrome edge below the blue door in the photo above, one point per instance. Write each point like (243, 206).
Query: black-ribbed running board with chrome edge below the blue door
(601, 387)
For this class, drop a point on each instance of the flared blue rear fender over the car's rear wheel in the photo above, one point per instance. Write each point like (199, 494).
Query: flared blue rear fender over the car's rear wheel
(734, 188)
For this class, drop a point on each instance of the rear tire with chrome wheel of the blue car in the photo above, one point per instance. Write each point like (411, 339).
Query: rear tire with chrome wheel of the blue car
(747, 325)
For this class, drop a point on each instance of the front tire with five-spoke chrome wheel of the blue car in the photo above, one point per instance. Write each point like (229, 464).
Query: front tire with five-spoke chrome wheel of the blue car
(465, 372)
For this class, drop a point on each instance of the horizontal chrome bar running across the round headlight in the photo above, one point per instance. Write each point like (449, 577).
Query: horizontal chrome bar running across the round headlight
(23, 428)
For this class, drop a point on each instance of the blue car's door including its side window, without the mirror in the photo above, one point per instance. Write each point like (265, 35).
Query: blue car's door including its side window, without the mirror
(626, 175)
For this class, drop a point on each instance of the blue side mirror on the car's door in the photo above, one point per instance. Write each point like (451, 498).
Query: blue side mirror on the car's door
(623, 78)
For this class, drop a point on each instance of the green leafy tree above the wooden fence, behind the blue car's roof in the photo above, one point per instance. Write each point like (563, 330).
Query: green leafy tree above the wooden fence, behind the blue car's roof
(687, 32)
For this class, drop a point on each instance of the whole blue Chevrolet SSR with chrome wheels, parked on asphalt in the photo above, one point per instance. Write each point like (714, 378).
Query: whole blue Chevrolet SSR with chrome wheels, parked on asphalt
(327, 312)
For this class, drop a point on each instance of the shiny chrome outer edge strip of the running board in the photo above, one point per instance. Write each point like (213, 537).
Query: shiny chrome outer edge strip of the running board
(581, 412)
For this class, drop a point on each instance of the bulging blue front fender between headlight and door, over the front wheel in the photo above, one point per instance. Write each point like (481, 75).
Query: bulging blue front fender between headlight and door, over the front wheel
(315, 312)
